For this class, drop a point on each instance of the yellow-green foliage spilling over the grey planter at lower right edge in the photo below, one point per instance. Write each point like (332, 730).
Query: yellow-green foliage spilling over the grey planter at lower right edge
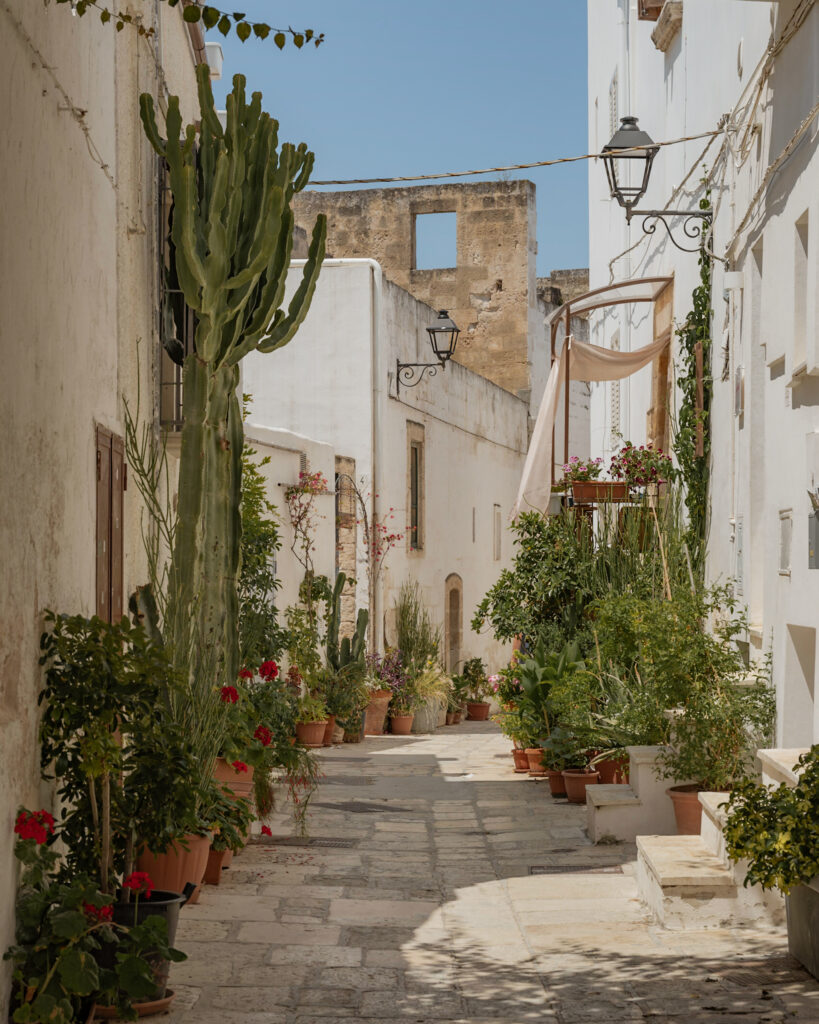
(778, 831)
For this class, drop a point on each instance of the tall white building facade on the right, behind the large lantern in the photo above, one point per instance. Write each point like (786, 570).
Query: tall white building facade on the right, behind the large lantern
(749, 71)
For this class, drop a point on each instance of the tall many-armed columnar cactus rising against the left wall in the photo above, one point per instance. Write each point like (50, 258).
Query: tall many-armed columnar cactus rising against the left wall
(232, 228)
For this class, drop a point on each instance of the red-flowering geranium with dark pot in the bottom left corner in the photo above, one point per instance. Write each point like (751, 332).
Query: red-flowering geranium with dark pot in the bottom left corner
(72, 948)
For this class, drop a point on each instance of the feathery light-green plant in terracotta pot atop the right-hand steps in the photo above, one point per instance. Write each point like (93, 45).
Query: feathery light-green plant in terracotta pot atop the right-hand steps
(713, 739)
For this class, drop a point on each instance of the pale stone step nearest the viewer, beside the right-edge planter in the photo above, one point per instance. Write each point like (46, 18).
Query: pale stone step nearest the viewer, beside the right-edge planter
(687, 886)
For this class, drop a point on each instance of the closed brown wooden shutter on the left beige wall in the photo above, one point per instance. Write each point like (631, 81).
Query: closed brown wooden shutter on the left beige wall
(111, 484)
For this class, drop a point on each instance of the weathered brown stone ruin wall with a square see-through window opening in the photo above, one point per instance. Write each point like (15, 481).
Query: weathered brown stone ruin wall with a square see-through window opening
(492, 292)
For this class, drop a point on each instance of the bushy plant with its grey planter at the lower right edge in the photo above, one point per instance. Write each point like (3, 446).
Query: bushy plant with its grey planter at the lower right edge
(778, 833)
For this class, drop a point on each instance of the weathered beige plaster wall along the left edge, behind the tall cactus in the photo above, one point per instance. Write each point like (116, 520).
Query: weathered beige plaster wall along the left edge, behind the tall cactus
(77, 333)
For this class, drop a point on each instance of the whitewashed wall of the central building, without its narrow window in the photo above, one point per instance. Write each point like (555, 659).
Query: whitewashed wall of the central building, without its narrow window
(335, 382)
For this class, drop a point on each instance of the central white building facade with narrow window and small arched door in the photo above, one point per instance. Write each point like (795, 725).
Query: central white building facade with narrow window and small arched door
(439, 463)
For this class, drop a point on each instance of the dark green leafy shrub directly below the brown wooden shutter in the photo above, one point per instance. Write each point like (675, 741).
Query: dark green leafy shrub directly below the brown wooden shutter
(123, 765)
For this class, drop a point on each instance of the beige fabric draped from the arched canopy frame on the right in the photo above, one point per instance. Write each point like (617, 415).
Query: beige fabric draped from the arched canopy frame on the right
(587, 363)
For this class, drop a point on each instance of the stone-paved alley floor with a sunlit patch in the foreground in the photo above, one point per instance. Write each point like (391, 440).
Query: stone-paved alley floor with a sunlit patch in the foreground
(429, 907)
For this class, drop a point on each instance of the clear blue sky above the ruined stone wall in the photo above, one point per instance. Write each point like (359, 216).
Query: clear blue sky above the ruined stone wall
(422, 88)
